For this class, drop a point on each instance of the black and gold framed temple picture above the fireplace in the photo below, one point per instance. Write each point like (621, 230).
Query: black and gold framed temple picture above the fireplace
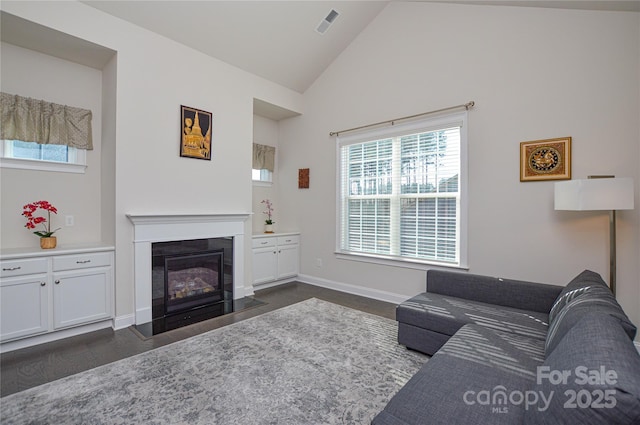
(195, 141)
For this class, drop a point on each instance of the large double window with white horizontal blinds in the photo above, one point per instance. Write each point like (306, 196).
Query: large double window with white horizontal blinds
(401, 192)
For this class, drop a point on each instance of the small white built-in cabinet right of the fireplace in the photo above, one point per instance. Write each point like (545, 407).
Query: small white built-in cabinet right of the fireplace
(276, 257)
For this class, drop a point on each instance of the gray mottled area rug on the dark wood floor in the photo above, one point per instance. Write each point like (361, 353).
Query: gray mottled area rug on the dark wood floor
(309, 363)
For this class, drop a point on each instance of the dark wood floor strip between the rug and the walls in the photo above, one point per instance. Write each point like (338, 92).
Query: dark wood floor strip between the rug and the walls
(33, 366)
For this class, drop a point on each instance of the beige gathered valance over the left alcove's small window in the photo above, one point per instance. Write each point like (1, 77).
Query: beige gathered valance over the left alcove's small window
(33, 120)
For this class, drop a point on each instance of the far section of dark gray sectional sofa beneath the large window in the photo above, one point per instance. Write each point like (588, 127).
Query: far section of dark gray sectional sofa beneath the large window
(455, 299)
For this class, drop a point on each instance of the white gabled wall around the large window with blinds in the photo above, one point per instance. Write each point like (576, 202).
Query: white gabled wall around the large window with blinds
(534, 74)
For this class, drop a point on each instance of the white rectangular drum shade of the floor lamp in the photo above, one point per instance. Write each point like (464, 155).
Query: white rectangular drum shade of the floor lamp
(594, 194)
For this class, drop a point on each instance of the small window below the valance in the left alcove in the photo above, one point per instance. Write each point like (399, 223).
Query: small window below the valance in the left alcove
(36, 156)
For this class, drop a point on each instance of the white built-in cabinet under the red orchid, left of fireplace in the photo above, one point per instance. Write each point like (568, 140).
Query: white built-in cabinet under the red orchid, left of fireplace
(51, 294)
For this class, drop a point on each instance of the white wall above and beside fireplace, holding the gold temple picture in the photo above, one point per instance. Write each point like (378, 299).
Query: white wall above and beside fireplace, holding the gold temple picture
(154, 77)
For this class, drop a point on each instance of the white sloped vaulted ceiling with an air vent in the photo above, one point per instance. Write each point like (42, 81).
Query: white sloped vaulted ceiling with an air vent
(277, 40)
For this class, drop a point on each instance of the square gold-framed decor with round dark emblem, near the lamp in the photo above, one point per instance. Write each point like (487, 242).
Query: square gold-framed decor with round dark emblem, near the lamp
(548, 159)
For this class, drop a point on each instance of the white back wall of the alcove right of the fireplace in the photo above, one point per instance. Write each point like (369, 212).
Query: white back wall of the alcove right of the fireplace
(265, 132)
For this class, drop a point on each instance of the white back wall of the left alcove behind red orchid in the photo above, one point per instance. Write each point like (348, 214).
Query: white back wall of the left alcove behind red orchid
(39, 76)
